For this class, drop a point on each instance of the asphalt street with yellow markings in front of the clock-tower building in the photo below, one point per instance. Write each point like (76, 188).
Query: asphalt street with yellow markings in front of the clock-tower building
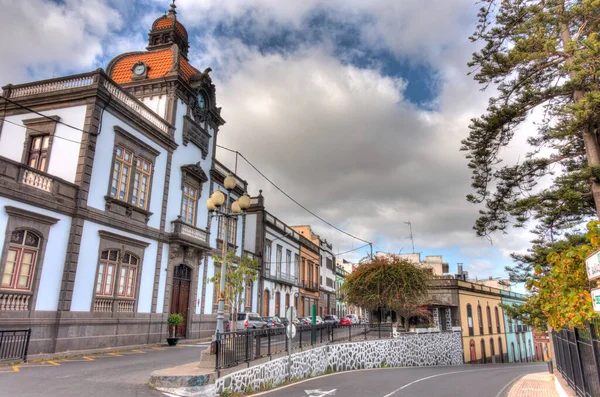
(120, 375)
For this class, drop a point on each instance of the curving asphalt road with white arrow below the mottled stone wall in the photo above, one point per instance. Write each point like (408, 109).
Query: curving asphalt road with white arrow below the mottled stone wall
(457, 381)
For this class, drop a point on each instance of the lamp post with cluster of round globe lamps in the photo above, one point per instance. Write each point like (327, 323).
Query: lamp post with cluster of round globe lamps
(216, 200)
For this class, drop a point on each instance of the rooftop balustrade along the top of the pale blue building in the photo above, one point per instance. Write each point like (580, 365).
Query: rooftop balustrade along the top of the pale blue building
(88, 81)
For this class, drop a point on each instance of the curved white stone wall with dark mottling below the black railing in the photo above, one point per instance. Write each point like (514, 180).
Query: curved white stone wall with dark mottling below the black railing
(408, 350)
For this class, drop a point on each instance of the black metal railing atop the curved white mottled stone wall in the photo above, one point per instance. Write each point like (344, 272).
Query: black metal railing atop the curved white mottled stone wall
(234, 348)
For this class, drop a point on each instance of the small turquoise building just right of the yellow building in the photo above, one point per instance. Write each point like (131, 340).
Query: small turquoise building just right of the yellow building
(519, 337)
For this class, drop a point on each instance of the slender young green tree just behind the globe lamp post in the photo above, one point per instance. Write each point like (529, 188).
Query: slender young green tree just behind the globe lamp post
(239, 272)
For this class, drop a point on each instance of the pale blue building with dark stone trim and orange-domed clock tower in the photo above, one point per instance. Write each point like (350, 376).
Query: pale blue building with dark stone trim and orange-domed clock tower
(103, 178)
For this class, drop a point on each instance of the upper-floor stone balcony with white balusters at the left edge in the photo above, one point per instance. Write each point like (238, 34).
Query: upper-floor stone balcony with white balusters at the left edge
(21, 182)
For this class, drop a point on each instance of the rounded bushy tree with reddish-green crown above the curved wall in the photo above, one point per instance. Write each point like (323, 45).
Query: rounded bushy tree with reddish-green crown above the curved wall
(388, 283)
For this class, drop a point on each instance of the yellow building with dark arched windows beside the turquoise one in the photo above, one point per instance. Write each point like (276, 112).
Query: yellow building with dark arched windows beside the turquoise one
(482, 323)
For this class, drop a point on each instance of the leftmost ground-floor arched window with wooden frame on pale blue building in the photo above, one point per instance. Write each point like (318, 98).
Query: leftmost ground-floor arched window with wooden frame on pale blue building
(20, 260)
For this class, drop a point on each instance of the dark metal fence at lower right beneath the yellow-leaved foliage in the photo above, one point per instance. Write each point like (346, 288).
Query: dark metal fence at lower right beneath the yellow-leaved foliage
(577, 358)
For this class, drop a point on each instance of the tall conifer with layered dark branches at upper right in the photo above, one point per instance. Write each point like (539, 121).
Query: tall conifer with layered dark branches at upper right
(544, 55)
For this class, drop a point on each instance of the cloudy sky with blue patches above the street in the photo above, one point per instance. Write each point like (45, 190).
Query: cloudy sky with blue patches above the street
(355, 108)
